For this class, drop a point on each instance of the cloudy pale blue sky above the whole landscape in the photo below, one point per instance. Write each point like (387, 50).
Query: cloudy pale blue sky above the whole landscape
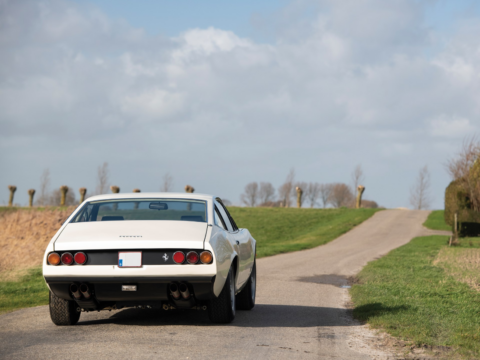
(219, 94)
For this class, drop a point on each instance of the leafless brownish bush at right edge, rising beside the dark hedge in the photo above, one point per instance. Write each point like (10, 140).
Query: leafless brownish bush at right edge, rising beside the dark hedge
(461, 168)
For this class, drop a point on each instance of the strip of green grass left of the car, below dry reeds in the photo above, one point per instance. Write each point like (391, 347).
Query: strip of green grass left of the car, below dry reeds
(21, 289)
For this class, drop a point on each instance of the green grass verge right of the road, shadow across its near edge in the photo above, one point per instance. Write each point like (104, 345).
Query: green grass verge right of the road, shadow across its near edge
(410, 297)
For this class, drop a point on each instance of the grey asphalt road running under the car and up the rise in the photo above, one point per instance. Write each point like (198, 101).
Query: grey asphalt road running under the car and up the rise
(300, 313)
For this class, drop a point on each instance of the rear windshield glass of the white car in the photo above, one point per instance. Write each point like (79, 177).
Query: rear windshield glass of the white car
(143, 209)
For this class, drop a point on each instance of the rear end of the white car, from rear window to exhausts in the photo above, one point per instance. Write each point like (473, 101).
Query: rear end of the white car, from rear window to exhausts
(133, 252)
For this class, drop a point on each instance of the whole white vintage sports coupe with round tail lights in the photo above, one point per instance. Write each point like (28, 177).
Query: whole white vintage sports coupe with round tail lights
(147, 250)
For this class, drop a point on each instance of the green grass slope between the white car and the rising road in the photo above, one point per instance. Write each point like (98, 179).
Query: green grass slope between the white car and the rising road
(280, 230)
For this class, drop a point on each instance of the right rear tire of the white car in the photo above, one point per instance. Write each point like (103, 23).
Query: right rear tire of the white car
(222, 309)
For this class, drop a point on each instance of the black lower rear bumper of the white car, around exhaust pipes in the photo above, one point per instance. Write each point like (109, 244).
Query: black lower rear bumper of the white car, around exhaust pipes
(149, 289)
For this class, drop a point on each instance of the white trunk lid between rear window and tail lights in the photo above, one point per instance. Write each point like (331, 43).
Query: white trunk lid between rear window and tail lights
(146, 234)
